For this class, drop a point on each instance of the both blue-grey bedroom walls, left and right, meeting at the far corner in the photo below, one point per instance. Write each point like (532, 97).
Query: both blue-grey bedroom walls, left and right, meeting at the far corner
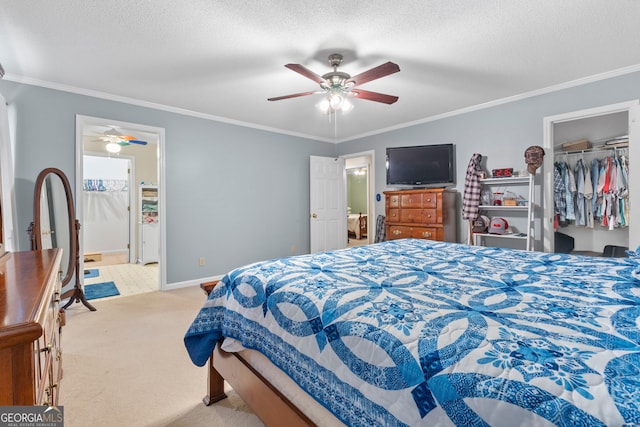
(236, 195)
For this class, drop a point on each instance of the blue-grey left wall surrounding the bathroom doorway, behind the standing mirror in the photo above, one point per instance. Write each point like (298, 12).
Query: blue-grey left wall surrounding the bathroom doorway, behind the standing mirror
(233, 194)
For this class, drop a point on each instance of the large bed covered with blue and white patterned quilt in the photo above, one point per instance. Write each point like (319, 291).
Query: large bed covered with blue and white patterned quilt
(416, 332)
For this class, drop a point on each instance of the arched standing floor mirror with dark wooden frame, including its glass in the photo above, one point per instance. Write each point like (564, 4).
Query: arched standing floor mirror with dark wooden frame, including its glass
(55, 226)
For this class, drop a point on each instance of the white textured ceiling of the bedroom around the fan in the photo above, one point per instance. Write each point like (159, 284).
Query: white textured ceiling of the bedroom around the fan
(223, 59)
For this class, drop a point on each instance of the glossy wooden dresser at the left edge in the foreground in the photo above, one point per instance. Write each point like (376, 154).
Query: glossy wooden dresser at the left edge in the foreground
(30, 323)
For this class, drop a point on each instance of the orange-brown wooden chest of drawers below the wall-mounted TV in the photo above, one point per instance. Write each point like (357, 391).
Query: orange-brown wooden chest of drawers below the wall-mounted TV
(428, 213)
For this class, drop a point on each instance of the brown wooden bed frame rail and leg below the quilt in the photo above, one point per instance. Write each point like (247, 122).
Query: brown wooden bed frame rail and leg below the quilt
(271, 406)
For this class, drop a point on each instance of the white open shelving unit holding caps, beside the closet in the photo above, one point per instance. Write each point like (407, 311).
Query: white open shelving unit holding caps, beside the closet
(518, 186)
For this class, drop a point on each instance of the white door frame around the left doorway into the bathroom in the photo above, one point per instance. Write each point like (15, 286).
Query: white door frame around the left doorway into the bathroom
(83, 122)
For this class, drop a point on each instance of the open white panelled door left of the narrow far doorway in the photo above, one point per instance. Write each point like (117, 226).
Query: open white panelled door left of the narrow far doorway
(328, 205)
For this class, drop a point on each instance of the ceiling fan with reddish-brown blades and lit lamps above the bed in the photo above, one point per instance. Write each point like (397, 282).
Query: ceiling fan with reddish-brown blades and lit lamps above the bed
(337, 85)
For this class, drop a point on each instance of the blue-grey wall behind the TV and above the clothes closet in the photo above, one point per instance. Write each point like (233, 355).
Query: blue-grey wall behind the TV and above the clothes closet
(500, 133)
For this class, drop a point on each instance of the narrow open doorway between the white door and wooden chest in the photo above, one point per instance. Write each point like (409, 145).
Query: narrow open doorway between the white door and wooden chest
(359, 181)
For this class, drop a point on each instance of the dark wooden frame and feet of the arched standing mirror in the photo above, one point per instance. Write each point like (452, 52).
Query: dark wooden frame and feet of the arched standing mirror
(77, 293)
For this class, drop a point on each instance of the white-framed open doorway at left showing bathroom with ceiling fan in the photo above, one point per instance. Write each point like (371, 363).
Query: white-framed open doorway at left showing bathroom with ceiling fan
(114, 162)
